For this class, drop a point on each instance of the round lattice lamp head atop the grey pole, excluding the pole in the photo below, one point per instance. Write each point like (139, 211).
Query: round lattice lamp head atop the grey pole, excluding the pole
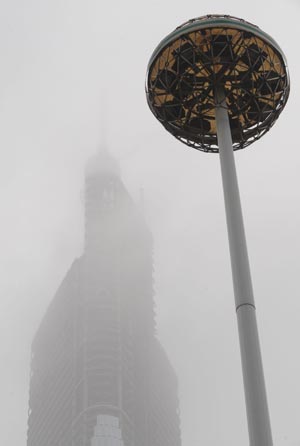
(209, 53)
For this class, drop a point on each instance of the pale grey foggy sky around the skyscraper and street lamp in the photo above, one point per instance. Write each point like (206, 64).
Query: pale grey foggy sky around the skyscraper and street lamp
(71, 68)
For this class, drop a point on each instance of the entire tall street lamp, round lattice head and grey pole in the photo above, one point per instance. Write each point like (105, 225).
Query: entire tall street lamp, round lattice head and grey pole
(218, 83)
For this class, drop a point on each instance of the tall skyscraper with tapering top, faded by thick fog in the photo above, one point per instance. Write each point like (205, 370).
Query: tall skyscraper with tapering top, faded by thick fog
(95, 355)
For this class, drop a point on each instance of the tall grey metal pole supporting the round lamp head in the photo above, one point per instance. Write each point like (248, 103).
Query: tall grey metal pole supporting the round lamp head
(254, 384)
